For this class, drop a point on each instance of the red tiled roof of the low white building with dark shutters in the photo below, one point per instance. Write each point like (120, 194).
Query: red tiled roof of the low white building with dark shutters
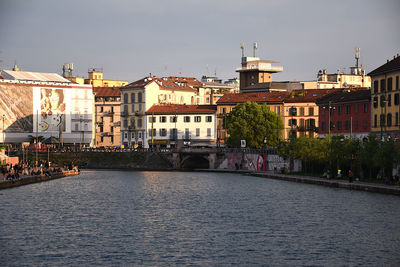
(182, 109)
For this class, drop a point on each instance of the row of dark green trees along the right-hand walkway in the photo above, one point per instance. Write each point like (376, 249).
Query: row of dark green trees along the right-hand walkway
(365, 158)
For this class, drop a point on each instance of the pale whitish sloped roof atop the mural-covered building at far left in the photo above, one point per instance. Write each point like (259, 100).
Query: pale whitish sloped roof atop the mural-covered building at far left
(33, 76)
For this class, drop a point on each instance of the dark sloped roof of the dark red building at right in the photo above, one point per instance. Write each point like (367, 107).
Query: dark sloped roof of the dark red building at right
(346, 96)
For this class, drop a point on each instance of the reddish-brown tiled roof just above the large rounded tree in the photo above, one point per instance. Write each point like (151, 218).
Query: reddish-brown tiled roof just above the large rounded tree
(253, 97)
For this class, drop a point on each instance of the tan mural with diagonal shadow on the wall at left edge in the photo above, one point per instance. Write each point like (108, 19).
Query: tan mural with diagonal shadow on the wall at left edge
(16, 108)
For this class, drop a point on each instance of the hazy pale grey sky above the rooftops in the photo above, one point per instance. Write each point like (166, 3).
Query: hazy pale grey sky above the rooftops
(132, 38)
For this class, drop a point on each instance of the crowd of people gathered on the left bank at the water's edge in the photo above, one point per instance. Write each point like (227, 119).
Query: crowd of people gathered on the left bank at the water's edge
(30, 168)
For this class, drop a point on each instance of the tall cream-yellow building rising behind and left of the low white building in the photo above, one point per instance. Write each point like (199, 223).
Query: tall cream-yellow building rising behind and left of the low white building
(139, 96)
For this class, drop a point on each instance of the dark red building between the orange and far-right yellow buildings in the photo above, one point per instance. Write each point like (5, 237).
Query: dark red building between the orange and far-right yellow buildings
(347, 111)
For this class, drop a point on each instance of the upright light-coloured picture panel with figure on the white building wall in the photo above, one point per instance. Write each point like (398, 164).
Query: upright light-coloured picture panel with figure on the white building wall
(52, 110)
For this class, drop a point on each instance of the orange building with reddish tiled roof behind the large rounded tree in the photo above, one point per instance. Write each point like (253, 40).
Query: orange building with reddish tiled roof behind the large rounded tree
(274, 100)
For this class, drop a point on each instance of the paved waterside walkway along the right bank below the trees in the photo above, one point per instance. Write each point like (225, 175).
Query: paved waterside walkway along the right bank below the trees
(355, 185)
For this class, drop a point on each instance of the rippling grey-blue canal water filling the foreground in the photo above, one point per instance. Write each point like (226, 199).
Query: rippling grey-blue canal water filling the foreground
(114, 218)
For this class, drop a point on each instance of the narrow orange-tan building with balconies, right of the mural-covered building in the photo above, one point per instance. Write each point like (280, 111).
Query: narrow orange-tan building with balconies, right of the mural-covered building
(107, 114)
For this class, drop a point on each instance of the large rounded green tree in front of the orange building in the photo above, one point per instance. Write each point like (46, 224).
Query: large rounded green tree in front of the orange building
(253, 122)
